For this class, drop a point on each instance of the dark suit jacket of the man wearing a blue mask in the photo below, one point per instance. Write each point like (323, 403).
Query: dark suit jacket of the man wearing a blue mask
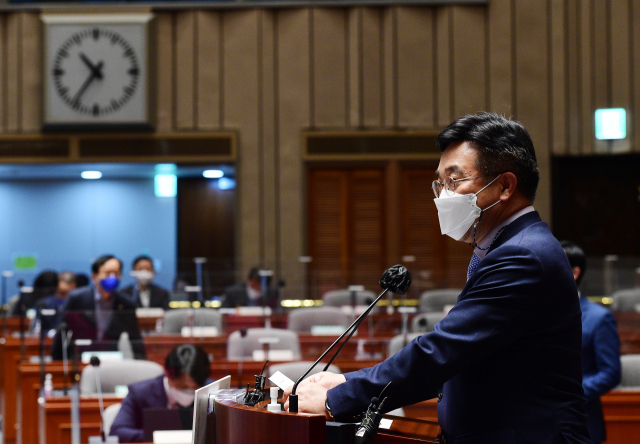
(79, 312)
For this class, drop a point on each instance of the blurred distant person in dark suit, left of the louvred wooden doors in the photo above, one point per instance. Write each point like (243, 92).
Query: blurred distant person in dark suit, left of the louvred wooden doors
(251, 292)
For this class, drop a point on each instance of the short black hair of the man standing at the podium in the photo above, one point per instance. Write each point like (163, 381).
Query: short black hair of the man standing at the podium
(503, 146)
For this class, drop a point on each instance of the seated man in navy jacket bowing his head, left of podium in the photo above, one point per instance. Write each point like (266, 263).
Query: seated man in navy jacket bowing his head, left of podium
(186, 370)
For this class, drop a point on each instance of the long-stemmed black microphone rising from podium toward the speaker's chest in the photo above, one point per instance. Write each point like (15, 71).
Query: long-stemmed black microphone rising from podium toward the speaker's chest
(396, 279)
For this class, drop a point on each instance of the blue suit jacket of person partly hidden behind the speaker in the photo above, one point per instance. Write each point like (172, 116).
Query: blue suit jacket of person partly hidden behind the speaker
(600, 362)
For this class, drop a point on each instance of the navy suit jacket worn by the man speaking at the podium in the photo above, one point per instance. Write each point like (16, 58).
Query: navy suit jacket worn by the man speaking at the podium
(507, 358)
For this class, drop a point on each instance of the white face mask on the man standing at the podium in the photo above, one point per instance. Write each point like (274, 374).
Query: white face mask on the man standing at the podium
(457, 212)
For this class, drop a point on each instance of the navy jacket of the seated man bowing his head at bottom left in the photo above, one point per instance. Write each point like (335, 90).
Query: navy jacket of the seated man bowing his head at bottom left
(142, 395)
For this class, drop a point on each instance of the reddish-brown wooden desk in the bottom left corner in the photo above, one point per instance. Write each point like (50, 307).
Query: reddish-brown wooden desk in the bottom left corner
(54, 419)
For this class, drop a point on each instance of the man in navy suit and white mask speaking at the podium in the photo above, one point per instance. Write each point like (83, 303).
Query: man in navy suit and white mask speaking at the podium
(506, 361)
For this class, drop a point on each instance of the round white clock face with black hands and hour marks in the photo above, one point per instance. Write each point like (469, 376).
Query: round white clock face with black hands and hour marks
(96, 71)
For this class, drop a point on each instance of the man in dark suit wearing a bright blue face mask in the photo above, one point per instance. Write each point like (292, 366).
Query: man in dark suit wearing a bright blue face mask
(100, 313)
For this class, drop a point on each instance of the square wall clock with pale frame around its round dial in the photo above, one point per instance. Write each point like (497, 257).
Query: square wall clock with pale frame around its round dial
(97, 72)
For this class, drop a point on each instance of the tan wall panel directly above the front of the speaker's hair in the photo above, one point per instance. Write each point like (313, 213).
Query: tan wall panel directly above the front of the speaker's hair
(469, 60)
